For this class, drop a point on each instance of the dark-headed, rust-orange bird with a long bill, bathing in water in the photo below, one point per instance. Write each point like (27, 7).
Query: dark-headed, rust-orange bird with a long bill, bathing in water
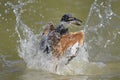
(58, 39)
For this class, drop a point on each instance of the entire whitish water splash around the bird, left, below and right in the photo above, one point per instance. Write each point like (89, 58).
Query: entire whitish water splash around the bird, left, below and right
(100, 19)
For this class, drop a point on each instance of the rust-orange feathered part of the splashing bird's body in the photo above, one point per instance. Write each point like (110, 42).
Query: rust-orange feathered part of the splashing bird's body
(67, 41)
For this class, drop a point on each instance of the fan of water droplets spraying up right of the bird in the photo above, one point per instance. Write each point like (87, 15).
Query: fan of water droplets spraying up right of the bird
(102, 27)
